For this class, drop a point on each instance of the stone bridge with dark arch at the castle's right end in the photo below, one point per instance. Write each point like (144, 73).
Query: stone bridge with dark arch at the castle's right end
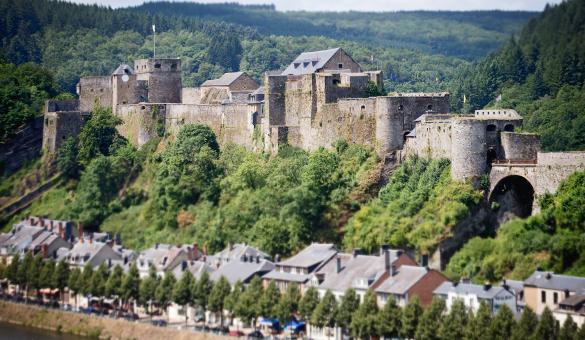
(526, 180)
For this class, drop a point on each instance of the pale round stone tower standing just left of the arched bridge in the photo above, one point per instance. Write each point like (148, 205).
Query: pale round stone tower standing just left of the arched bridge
(468, 148)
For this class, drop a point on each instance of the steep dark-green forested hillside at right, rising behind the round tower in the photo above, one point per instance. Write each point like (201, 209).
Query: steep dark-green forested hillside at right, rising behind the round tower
(541, 74)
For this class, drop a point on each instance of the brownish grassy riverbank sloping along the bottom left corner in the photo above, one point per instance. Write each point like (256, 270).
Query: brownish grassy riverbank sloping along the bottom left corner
(89, 325)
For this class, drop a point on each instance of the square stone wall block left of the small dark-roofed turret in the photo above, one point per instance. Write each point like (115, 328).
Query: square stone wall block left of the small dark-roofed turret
(92, 90)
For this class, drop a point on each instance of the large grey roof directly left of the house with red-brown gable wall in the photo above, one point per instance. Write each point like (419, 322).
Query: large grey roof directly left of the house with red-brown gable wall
(353, 268)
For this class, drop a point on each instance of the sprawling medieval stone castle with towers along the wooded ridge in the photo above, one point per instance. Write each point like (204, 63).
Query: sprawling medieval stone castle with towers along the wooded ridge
(321, 97)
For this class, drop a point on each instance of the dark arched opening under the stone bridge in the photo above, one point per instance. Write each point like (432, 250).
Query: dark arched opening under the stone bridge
(514, 195)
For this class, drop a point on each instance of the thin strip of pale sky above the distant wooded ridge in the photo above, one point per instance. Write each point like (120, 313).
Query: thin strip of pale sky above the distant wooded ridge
(370, 5)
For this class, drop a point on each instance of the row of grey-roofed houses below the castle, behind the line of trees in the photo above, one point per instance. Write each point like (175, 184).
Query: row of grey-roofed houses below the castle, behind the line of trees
(389, 272)
